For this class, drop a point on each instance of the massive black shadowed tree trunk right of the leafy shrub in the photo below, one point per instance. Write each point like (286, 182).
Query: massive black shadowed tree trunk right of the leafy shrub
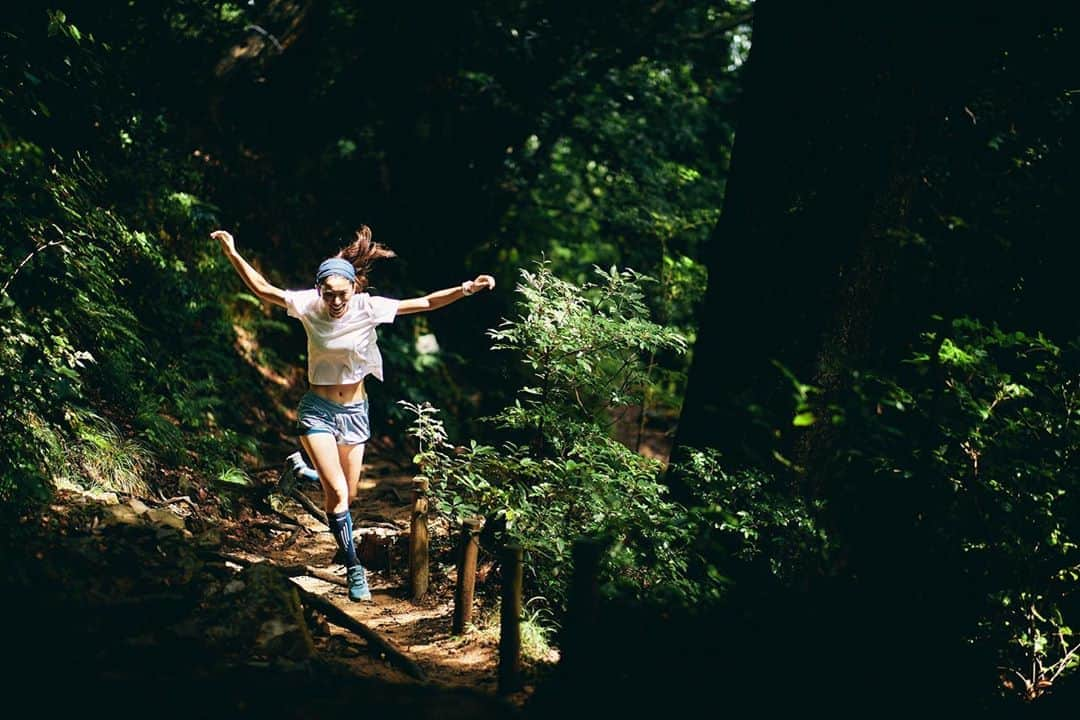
(836, 111)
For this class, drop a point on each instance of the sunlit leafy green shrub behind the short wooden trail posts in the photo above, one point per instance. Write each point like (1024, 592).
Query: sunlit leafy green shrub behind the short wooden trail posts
(562, 476)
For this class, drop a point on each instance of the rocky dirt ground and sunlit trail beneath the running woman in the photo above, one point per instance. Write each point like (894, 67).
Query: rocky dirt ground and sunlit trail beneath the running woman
(123, 603)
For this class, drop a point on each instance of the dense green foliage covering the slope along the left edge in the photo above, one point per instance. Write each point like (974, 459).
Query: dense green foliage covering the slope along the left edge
(110, 309)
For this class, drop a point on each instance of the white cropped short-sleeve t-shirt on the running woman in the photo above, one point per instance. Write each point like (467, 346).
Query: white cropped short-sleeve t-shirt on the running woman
(345, 350)
